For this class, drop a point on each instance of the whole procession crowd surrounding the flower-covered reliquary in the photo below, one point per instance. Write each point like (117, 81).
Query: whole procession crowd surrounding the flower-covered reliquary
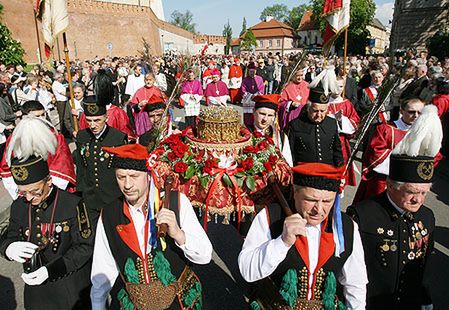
(87, 207)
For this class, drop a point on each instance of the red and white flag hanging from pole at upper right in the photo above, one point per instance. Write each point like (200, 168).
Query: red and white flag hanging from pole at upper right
(336, 13)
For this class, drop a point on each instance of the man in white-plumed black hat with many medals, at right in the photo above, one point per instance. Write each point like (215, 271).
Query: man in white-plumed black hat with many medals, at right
(397, 229)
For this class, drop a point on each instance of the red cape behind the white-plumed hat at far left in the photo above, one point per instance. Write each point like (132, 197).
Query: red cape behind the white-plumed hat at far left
(60, 165)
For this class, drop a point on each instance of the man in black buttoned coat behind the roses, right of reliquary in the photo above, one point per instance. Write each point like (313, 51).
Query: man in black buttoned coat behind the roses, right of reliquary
(313, 136)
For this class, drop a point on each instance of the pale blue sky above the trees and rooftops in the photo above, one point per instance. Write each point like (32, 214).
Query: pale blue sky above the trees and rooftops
(211, 15)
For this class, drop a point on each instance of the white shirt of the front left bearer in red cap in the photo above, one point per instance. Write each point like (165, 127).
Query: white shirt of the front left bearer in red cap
(197, 248)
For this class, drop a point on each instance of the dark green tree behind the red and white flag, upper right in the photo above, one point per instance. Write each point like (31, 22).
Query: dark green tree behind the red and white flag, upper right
(362, 13)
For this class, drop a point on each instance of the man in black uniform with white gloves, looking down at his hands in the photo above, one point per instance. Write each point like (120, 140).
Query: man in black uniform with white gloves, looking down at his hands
(50, 233)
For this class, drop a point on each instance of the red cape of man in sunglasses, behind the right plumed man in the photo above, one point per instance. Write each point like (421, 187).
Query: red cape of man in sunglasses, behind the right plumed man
(383, 141)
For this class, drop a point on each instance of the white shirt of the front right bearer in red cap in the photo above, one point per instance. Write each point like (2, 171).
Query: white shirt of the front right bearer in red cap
(261, 255)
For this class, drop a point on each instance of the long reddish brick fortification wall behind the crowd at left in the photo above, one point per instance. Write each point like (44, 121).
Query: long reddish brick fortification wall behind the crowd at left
(93, 24)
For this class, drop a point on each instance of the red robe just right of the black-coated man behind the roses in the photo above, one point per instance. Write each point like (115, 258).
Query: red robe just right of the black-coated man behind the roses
(347, 109)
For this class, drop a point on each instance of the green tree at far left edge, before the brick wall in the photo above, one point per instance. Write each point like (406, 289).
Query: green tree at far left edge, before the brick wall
(11, 51)
